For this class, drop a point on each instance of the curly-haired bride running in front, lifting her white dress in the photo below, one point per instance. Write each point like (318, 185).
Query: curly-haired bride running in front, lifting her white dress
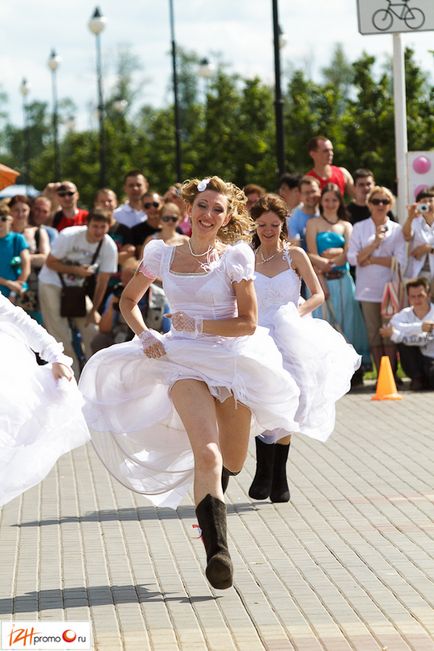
(164, 408)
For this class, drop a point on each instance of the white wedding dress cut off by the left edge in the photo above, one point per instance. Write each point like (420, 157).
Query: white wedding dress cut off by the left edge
(40, 418)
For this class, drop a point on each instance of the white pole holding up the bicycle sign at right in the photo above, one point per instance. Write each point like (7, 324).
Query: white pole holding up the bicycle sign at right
(401, 146)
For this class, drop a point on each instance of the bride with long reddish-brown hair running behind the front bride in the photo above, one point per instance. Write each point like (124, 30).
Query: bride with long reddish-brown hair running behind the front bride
(317, 356)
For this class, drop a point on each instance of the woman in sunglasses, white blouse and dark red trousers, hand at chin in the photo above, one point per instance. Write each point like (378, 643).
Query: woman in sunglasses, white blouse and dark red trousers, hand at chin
(374, 246)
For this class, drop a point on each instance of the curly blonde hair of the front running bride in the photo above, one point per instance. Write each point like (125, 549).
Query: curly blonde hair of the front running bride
(240, 224)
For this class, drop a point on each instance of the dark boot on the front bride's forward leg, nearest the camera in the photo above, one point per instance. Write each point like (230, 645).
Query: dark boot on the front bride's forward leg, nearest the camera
(211, 515)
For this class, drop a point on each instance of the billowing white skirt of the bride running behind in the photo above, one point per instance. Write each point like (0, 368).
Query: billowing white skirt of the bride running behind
(321, 362)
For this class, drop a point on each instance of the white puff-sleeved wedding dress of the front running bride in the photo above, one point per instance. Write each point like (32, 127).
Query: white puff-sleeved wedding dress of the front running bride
(134, 426)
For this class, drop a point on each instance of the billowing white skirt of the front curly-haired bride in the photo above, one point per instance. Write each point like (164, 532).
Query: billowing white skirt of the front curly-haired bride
(134, 426)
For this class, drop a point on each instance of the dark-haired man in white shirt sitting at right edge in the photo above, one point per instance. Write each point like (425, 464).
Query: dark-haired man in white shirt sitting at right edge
(413, 330)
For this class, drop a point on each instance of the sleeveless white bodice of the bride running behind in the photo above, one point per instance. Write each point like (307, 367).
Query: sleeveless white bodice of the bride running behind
(274, 292)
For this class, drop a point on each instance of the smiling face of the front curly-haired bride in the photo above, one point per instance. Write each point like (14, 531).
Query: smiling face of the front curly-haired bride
(209, 213)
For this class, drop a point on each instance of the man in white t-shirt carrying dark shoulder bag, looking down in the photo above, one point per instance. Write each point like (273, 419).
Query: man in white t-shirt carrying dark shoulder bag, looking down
(71, 256)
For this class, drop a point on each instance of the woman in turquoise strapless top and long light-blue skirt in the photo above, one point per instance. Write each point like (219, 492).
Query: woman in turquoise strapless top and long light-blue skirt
(327, 239)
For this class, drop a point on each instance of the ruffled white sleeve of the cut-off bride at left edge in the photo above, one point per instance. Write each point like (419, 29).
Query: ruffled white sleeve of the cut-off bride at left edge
(35, 336)
